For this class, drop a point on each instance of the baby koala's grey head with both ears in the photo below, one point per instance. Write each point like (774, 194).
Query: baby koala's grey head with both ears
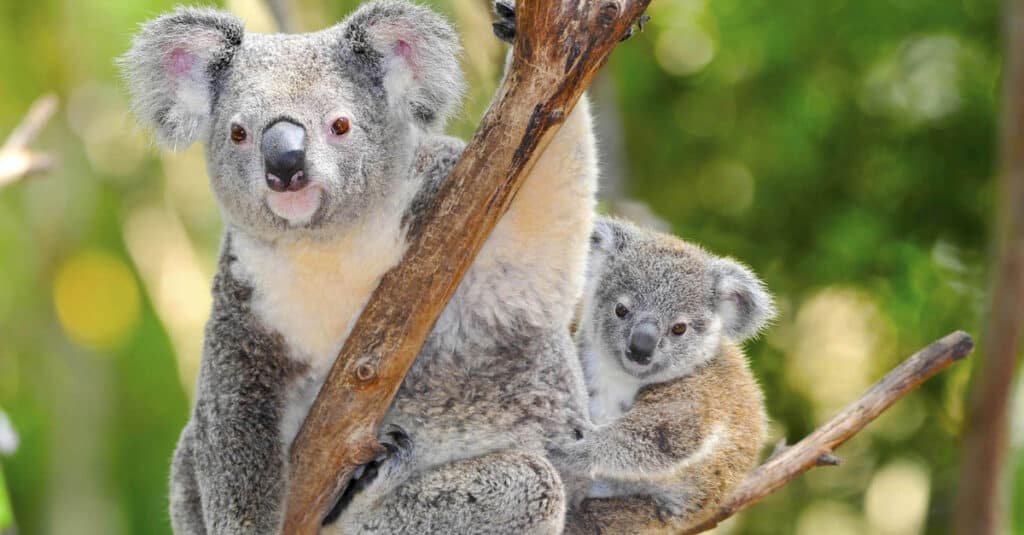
(661, 307)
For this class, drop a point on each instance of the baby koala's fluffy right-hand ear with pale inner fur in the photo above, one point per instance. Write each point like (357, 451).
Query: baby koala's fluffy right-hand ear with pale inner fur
(741, 299)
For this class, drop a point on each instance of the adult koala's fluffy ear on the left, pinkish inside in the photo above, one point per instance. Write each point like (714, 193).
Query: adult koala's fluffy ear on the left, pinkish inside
(174, 68)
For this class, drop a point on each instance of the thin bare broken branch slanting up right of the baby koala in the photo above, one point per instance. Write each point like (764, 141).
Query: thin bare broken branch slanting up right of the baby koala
(817, 449)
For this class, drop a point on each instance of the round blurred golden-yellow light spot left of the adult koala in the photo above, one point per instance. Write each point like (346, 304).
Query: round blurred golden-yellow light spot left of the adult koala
(97, 300)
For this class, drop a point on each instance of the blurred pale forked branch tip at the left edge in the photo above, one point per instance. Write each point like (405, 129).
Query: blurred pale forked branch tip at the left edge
(16, 160)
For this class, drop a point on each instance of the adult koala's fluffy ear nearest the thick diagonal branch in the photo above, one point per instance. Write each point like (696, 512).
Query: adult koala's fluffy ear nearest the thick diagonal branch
(416, 53)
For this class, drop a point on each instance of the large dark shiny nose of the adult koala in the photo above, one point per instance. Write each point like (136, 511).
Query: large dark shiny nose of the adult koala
(284, 151)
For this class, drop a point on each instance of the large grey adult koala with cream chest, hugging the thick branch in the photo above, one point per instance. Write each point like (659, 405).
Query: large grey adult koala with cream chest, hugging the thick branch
(323, 151)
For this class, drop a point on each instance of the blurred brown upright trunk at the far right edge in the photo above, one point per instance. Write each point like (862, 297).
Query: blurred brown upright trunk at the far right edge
(983, 501)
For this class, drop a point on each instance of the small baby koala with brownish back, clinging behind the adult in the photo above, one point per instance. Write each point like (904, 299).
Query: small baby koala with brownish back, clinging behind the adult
(680, 418)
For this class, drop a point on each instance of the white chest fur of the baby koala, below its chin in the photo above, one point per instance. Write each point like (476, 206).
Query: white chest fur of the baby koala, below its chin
(613, 391)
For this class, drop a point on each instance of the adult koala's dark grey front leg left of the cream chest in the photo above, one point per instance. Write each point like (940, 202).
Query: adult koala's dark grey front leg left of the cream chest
(231, 465)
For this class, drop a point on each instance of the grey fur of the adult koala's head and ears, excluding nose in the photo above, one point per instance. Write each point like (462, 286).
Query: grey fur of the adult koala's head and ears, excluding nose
(254, 79)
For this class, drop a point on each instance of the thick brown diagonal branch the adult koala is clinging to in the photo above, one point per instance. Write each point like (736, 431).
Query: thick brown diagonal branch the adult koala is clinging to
(561, 46)
